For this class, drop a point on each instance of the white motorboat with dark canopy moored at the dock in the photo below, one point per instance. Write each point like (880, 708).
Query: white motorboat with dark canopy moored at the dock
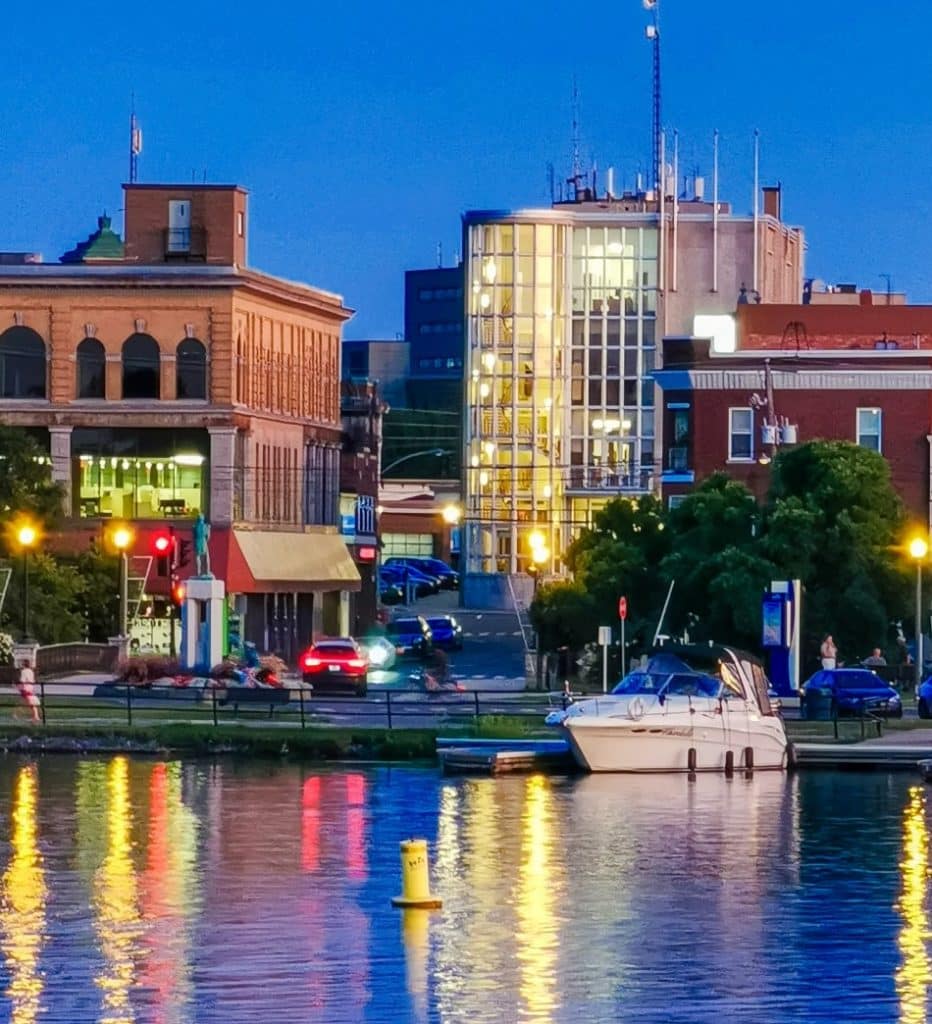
(691, 708)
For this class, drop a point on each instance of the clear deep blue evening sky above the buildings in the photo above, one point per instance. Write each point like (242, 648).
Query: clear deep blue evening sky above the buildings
(364, 131)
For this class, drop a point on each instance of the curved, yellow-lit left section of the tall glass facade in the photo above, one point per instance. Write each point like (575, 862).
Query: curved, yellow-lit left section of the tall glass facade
(517, 361)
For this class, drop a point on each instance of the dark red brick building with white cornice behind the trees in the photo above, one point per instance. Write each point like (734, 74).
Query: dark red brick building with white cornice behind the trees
(861, 373)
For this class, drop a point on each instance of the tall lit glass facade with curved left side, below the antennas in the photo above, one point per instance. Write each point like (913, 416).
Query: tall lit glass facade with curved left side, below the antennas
(562, 335)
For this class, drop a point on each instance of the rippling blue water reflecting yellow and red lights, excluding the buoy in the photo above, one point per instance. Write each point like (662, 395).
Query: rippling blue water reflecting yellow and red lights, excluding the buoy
(136, 890)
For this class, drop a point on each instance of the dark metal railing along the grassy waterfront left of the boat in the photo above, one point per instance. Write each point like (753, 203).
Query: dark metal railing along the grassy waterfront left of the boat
(298, 707)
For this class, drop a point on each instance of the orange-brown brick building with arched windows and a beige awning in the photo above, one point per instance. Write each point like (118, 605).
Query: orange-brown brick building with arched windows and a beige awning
(166, 378)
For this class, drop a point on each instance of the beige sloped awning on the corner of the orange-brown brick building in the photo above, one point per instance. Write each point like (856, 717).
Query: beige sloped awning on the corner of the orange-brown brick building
(298, 563)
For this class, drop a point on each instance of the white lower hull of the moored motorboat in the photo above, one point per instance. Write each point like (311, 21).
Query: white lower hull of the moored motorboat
(614, 746)
